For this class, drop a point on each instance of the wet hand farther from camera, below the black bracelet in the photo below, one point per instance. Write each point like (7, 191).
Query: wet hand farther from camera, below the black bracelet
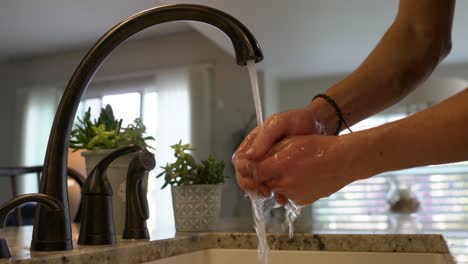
(291, 123)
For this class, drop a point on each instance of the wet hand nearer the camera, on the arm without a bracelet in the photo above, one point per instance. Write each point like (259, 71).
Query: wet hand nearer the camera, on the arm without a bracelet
(307, 168)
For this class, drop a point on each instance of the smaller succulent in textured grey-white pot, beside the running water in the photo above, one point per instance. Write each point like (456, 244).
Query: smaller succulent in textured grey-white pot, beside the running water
(196, 189)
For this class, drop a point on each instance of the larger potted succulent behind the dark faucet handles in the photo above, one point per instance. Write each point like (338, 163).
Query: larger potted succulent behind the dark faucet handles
(99, 137)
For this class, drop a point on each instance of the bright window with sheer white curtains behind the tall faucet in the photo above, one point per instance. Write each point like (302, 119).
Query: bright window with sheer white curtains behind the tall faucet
(175, 104)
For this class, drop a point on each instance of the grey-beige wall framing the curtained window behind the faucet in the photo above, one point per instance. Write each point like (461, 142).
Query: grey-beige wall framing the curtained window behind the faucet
(232, 104)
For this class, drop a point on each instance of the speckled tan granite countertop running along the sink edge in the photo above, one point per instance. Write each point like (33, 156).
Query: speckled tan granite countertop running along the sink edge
(137, 251)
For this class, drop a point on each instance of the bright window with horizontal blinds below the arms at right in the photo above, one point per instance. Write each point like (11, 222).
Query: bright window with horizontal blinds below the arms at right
(362, 206)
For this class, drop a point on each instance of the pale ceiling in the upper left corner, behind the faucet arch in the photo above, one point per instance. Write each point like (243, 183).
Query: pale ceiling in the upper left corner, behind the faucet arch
(41, 27)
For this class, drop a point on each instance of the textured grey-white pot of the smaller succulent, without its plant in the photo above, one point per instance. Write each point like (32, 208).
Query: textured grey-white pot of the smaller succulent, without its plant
(196, 207)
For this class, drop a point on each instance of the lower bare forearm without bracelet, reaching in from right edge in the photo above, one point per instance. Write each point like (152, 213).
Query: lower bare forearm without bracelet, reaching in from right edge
(436, 135)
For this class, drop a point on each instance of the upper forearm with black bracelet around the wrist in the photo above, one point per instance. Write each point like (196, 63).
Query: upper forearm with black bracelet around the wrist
(417, 41)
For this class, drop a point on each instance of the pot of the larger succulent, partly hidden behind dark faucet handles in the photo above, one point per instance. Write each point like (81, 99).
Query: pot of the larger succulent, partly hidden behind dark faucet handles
(116, 174)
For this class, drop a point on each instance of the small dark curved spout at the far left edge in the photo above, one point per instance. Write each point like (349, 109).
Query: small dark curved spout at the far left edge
(5, 209)
